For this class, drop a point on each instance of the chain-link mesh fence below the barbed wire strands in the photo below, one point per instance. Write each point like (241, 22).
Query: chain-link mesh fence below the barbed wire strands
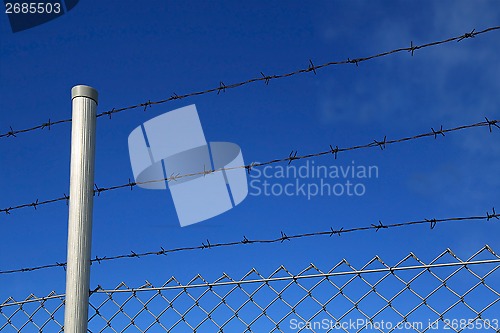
(446, 294)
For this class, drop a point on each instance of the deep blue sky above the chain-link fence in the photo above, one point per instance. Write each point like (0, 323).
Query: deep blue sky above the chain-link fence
(132, 53)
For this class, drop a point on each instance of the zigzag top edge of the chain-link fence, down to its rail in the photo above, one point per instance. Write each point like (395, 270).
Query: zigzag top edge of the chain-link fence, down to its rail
(226, 280)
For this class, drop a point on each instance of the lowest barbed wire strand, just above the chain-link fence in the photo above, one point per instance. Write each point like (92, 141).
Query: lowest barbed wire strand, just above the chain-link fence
(281, 239)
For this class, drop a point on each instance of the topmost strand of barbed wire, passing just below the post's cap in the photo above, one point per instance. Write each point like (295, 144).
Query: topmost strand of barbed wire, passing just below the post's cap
(262, 78)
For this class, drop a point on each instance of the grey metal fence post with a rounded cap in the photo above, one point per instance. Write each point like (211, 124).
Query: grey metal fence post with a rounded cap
(84, 100)
